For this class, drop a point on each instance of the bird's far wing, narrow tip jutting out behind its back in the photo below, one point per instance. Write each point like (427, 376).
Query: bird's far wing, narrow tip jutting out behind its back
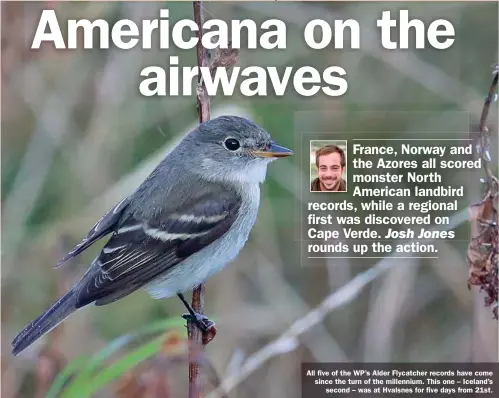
(103, 227)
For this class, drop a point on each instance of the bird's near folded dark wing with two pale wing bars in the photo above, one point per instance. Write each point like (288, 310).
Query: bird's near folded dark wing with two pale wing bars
(139, 250)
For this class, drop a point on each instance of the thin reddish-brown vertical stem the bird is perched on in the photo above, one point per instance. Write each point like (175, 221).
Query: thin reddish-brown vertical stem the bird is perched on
(195, 335)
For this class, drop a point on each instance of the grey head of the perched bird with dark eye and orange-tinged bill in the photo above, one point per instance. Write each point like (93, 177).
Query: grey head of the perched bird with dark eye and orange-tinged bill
(231, 147)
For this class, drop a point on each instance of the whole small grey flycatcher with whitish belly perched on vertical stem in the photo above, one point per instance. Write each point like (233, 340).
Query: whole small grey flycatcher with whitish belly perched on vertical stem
(186, 221)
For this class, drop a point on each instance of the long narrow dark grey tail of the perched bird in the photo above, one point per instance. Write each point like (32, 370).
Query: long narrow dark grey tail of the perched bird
(47, 321)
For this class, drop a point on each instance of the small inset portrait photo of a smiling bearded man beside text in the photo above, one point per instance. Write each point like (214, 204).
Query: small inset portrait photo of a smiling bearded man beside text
(328, 166)
